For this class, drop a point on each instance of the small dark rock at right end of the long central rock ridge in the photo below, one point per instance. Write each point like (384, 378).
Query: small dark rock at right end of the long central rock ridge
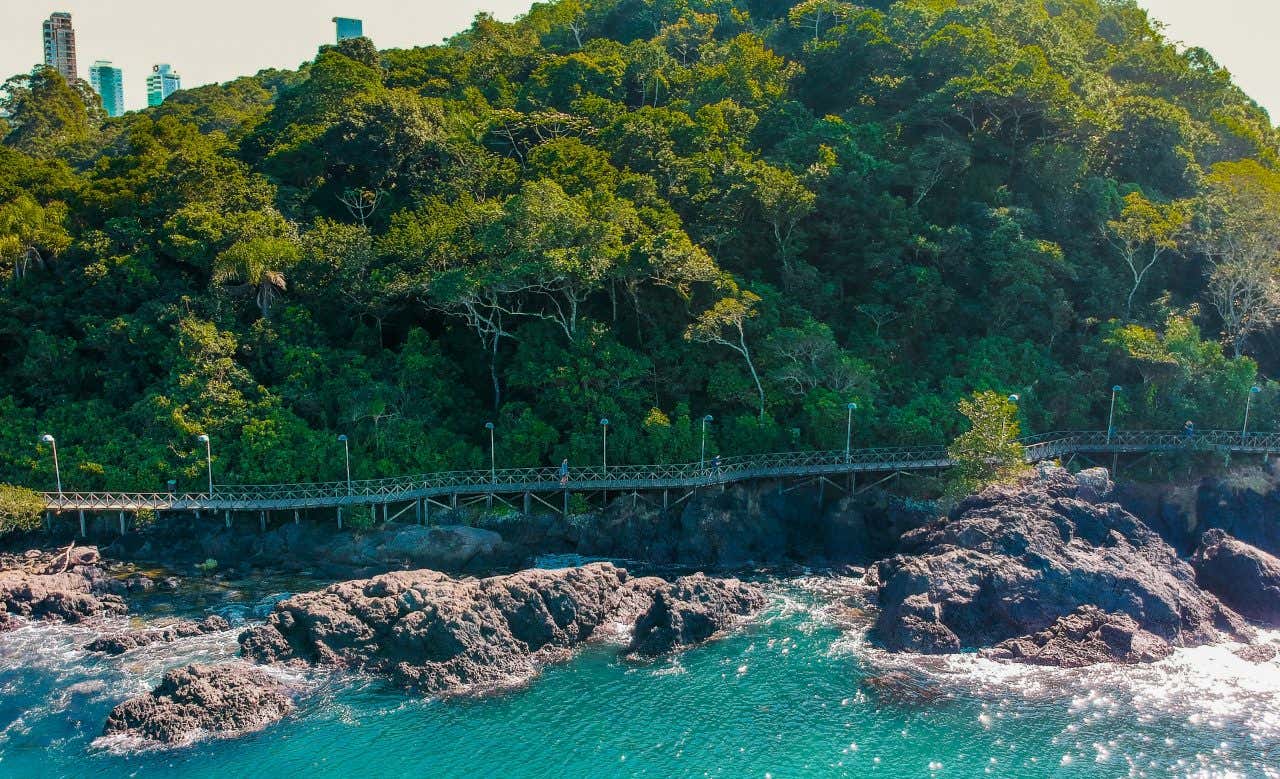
(691, 611)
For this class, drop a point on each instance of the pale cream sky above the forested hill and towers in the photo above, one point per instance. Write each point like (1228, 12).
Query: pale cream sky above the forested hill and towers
(218, 40)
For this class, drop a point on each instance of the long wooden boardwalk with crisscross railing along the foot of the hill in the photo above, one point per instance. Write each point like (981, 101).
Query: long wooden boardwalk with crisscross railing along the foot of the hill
(1044, 447)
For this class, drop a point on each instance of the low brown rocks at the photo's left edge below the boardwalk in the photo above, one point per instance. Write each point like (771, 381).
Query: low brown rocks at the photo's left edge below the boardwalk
(68, 586)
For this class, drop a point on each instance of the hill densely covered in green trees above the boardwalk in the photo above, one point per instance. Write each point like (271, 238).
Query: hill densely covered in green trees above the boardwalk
(643, 210)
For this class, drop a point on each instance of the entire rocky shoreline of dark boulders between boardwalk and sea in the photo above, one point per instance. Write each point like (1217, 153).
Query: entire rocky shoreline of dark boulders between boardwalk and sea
(1052, 571)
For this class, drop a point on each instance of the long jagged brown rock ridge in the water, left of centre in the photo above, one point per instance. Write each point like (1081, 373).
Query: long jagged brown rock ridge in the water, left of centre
(450, 636)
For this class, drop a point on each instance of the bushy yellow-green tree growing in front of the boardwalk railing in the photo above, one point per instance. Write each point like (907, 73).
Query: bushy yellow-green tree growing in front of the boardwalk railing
(989, 452)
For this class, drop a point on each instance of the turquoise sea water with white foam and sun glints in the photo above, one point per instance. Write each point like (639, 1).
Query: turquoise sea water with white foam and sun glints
(783, 698)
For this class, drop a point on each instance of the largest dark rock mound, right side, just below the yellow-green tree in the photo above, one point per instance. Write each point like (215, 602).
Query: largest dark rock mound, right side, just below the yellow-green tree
(1014, 560)
